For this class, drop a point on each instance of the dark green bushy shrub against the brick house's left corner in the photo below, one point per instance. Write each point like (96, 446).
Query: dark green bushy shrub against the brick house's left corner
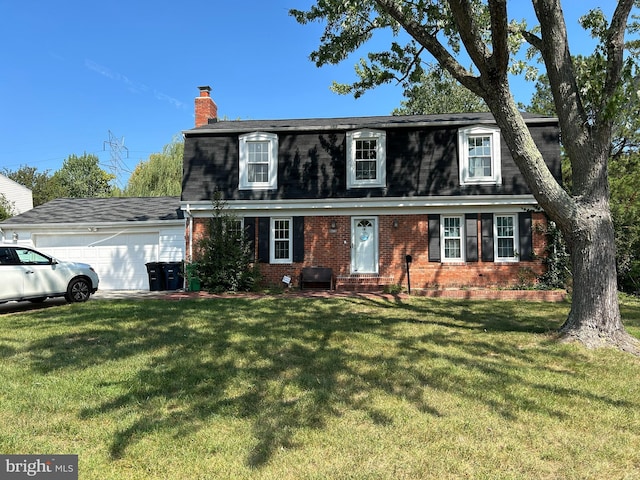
(224, 258)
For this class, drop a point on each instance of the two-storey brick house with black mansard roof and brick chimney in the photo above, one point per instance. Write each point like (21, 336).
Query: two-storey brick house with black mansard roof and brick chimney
(359, 195)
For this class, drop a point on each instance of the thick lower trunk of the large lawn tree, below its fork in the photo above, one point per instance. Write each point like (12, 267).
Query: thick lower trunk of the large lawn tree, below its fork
(594, 319)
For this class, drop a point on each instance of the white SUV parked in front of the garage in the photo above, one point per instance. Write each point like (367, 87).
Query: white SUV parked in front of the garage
(30, 275)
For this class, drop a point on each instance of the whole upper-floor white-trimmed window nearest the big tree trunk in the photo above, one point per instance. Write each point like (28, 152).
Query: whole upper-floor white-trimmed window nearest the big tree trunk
(480, 162)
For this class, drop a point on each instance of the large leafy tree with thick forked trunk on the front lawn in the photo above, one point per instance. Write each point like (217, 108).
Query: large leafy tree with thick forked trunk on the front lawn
(484, 32)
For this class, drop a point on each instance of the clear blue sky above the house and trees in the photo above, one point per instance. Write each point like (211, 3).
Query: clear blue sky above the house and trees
(72, 71)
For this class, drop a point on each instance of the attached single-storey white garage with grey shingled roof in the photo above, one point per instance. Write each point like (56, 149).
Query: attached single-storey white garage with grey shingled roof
(116, 236)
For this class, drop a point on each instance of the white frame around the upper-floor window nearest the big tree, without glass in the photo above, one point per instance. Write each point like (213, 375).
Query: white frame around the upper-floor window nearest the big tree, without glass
(464, 134)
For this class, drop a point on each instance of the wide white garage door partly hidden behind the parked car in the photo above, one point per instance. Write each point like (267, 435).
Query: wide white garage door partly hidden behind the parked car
(119, 260)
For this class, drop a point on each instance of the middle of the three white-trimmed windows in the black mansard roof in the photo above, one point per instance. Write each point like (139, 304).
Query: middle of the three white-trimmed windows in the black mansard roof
(366, 159)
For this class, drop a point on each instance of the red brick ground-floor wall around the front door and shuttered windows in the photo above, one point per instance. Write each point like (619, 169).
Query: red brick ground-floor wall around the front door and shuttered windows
(399, 235)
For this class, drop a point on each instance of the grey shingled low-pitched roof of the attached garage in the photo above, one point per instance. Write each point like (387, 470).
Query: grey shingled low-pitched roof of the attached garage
(101, 210)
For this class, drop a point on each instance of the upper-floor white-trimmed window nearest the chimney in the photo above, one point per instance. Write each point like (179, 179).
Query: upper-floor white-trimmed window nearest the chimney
(258, 161)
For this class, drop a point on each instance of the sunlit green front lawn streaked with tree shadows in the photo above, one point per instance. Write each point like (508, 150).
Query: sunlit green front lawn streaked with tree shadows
(338, 388)
